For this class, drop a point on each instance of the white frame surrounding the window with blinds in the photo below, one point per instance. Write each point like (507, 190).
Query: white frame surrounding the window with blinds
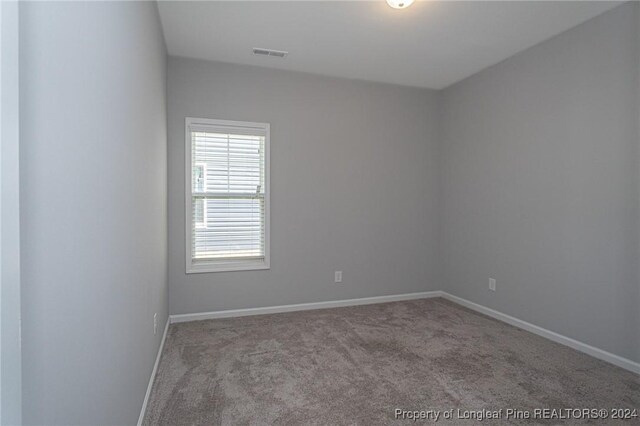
(223, 265)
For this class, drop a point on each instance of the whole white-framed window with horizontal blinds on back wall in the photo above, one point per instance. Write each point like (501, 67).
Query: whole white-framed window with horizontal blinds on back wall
(227, 203)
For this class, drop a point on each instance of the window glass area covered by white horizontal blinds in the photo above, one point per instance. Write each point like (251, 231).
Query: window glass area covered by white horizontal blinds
(229, 222)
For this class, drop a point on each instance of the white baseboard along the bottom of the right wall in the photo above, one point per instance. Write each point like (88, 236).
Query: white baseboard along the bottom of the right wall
(625, 363)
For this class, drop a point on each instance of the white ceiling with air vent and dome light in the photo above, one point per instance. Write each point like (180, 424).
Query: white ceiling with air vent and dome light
(431, 44)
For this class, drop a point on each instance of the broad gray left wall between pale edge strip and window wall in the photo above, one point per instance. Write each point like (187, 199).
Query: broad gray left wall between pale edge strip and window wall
(93, 208)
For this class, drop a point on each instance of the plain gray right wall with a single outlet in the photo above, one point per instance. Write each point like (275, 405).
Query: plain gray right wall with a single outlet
(540, 184)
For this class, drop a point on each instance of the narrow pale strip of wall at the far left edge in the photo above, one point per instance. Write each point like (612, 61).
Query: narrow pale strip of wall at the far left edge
(10, 358)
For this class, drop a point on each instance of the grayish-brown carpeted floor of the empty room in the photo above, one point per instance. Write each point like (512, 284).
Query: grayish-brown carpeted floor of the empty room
(357, 365)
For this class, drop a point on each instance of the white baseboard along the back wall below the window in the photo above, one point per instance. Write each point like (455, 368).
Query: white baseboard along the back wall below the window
(302, 306)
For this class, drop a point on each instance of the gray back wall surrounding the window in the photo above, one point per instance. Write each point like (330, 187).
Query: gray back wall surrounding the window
(353, 185)
